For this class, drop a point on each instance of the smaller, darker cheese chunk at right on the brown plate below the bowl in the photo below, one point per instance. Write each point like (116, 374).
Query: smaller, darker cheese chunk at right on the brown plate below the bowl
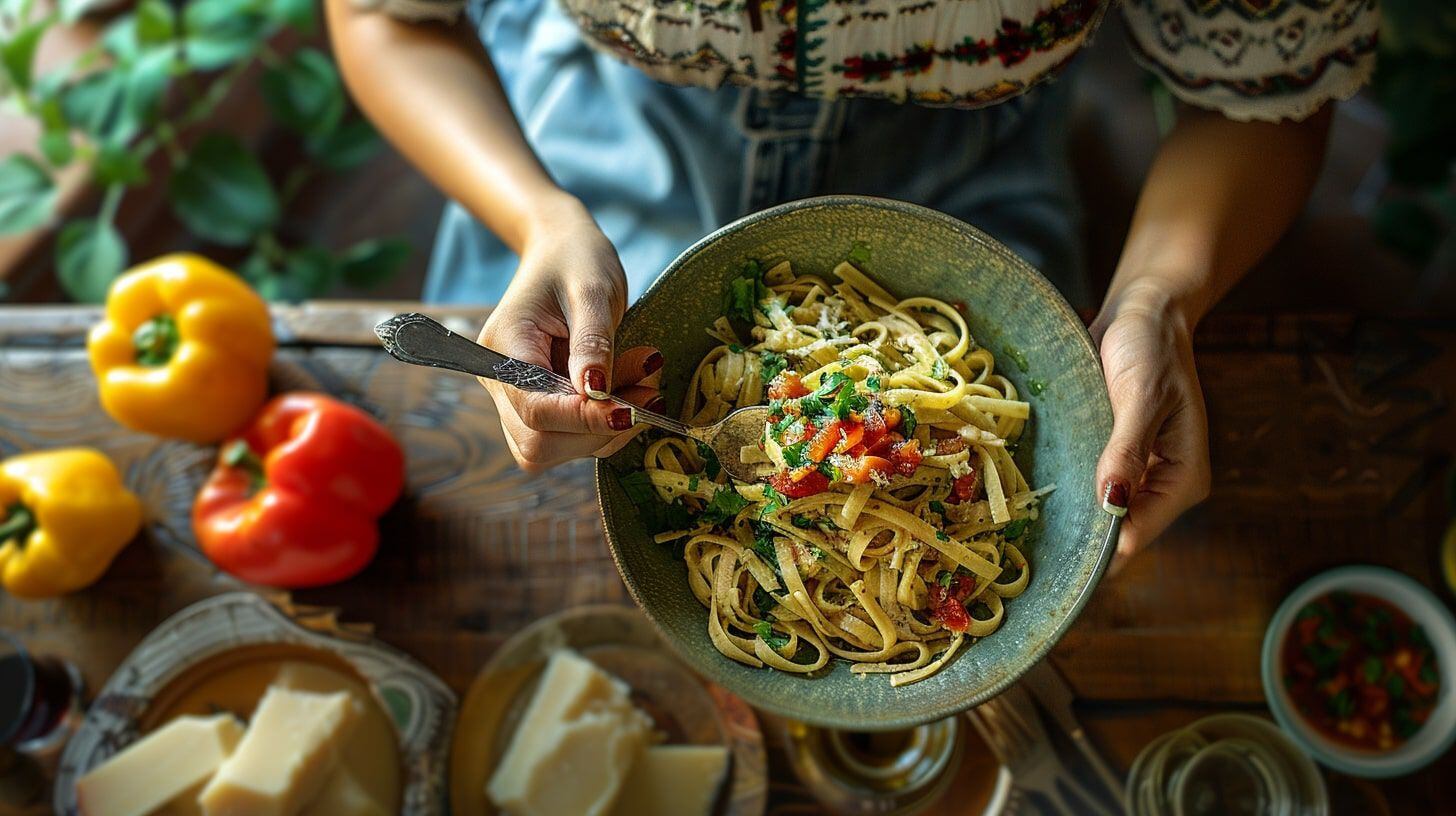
(675, 780)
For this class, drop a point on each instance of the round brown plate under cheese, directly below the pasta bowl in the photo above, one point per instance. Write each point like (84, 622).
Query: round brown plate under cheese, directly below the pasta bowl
(622, 642)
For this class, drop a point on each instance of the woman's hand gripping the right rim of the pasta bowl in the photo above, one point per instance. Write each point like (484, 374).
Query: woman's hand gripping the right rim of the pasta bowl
(1157, 463)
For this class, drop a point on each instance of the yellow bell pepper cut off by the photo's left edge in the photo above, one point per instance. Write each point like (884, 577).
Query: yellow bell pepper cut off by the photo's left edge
(65, 517)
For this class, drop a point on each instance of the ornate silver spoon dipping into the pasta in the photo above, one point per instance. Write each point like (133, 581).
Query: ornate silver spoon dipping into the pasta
(423, 342)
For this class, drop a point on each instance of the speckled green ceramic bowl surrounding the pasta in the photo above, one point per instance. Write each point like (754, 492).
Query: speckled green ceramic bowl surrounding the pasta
(1039, 343)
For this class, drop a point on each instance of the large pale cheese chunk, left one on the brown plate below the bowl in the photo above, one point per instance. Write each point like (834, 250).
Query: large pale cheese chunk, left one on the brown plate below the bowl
(576, 744)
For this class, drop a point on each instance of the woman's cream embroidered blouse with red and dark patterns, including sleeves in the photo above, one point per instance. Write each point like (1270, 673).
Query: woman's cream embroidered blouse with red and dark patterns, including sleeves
(1265, 60)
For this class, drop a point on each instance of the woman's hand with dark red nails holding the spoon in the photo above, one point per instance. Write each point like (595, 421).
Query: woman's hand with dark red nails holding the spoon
(561, 313)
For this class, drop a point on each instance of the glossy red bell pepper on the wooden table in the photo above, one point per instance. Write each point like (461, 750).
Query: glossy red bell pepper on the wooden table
(296, 501)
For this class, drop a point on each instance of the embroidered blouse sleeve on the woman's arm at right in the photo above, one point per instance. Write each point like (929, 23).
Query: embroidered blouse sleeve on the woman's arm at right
(1263, 60)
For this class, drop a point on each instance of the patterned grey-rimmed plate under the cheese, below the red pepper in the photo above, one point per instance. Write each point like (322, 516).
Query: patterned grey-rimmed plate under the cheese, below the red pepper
(242, 637)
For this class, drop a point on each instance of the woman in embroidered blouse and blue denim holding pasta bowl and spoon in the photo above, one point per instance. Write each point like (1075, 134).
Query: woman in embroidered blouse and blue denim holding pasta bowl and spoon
(592, 141)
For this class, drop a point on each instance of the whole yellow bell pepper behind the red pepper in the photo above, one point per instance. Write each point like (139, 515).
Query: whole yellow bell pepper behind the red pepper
(183, 350)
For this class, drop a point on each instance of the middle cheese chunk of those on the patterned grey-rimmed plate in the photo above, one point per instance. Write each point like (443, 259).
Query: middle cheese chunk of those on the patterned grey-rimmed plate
(286, 757)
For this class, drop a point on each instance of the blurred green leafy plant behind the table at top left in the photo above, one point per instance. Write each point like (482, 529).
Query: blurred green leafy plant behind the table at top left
(152, 84)
